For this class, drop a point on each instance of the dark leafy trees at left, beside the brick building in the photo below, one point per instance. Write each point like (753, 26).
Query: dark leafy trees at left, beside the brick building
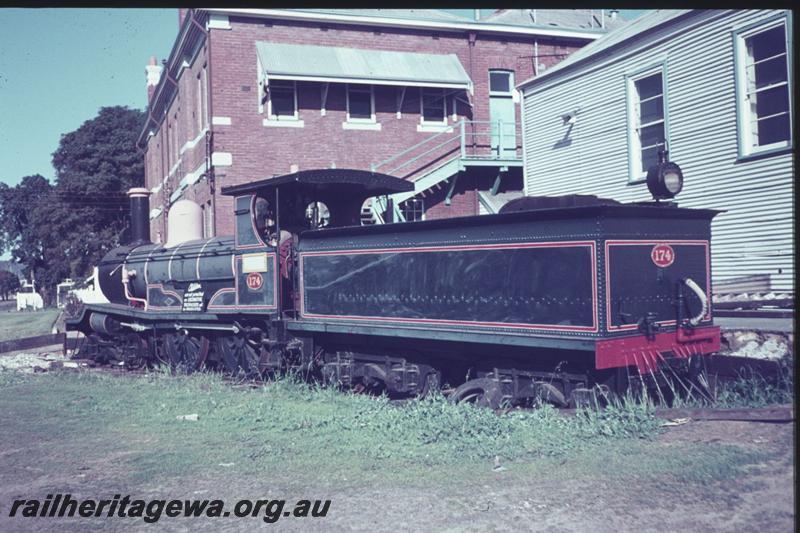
(65, 229)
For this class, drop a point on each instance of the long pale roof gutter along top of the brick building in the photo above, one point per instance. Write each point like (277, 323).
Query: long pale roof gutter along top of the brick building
(285, 14)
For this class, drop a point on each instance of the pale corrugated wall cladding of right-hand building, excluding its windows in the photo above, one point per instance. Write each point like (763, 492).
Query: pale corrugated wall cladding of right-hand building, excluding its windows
(755, 235)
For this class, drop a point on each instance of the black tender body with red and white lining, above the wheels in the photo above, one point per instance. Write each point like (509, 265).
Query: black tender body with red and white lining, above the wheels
(573, 273)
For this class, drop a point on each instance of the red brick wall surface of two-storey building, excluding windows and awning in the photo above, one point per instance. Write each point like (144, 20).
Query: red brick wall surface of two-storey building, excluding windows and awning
(260, 152)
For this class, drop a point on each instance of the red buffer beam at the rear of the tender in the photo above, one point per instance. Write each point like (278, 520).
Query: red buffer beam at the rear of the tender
(645, 353)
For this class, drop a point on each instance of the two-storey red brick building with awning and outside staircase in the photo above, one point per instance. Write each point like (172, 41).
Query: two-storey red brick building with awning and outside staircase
(421, 94)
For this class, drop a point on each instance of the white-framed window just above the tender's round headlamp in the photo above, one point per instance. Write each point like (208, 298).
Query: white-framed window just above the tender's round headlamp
(647, 120)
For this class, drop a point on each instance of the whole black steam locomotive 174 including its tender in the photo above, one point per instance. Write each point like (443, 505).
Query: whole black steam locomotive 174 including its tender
(546, 300)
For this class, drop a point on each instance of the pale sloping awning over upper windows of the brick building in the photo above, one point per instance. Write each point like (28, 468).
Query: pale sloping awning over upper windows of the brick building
(280, 61)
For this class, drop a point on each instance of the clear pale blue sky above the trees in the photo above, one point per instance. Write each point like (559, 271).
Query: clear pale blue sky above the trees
(58, 67)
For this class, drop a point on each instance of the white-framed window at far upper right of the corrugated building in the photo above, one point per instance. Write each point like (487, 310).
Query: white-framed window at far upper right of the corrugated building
(763, 87)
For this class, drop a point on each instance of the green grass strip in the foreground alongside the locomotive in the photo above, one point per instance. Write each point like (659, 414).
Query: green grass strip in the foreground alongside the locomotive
(305, 435)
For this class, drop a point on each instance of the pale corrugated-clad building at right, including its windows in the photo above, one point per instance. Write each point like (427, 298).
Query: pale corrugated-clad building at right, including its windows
(714, 87)
